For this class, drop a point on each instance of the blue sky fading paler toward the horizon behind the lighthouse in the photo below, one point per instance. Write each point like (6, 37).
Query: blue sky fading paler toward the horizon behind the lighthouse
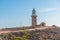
(16, 13)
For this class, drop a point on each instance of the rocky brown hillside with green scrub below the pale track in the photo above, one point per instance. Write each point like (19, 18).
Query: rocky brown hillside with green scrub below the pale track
(50, 33)
